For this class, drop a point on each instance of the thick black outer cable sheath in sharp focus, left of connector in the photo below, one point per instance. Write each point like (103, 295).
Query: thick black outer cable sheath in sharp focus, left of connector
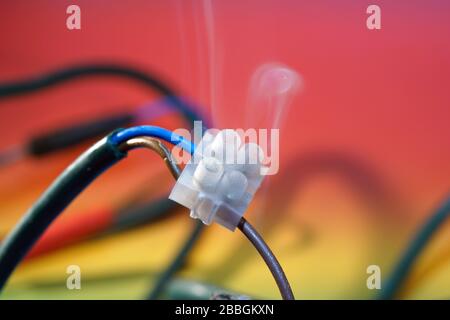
(55, 199)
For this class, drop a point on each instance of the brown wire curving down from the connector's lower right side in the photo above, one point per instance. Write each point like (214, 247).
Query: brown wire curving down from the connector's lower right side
(269, 258)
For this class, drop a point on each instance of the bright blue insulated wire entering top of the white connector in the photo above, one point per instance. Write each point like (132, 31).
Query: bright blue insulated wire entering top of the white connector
(155, 132)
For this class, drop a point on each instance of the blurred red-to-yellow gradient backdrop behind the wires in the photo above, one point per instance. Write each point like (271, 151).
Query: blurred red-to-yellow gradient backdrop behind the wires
(365, 148)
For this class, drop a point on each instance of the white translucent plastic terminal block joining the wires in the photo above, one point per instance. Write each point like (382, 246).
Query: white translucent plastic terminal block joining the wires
(221, 178)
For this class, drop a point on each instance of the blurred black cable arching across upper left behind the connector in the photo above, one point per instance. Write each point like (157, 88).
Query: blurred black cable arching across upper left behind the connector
(74, 72)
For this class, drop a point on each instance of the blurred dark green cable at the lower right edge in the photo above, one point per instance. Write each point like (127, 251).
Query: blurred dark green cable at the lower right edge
(415, 248)
